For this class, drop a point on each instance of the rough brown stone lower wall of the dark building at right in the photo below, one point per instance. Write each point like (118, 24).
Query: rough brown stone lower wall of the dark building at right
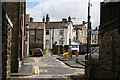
(109, 57)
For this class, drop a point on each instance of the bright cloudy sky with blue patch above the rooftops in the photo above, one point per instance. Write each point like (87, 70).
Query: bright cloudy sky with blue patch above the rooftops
(58, 9)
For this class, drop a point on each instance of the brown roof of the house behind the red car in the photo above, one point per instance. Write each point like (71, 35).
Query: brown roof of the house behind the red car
(37, 25)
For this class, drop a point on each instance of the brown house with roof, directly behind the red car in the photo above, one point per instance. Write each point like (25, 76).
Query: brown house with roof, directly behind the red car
(36, 32)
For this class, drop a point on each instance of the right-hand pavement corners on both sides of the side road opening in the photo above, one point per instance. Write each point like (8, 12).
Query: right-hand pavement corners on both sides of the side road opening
(74, 64)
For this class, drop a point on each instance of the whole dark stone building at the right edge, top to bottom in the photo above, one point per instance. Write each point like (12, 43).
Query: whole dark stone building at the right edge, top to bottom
(109, 41)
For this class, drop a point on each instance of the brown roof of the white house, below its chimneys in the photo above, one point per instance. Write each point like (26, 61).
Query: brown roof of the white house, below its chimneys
(57, 25)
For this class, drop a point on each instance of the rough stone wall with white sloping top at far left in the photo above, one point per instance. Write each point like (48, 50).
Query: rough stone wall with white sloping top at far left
(6, 46)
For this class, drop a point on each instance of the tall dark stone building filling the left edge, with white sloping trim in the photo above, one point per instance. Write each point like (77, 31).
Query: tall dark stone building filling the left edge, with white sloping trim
(12, 36)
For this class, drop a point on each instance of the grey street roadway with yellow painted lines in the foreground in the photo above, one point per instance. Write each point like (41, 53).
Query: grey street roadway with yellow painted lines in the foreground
(45, 68)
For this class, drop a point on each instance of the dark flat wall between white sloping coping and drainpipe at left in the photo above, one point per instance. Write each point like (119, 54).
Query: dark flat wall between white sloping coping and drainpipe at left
(12, 9)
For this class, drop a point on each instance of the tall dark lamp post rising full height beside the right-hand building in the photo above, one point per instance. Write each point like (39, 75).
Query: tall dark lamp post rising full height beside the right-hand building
(89, 40)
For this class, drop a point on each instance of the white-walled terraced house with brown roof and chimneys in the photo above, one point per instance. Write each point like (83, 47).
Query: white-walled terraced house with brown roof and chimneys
(59, 33)
